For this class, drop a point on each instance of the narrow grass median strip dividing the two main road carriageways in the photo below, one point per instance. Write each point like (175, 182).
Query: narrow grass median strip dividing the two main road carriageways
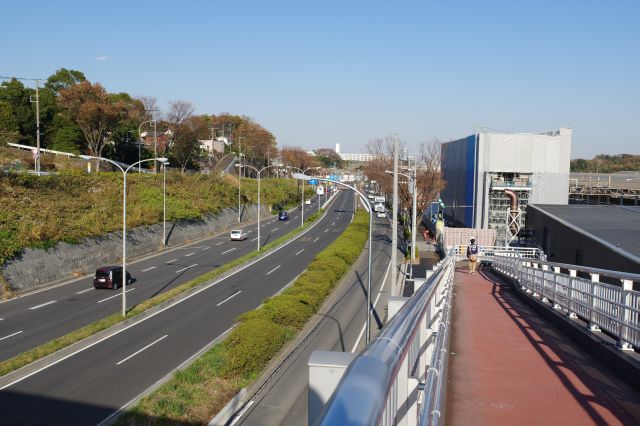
(75, 336)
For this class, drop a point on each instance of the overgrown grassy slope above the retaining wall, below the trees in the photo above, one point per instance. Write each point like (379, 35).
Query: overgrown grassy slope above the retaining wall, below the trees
(41, 211)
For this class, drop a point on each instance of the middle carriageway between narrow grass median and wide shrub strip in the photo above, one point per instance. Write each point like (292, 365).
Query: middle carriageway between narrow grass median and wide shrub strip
(89, 386)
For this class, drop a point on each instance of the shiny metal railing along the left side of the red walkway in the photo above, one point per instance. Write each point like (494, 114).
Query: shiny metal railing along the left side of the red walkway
(400, 377)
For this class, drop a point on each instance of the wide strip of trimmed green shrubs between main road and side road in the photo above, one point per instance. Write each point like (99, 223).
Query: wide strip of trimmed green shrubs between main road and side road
(195, 394)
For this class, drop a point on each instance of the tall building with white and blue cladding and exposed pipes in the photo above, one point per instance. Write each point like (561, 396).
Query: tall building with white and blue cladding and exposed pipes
(491, 177)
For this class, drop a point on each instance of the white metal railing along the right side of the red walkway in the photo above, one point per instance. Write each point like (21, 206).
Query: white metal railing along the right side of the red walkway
(580, 293)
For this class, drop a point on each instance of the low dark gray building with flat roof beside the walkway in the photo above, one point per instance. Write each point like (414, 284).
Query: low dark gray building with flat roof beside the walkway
(605, 237)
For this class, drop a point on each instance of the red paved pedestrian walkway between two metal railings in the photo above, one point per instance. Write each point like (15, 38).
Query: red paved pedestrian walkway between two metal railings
(510, 367)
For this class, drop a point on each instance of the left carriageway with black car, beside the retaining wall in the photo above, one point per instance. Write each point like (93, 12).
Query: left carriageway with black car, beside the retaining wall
(36, 318)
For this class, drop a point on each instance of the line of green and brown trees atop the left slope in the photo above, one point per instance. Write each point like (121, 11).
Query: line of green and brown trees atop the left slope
(79, 116)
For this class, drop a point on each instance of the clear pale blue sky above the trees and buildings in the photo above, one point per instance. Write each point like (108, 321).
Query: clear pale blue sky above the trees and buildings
(316, 73)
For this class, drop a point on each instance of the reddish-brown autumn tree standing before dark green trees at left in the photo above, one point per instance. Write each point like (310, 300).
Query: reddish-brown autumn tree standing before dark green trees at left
(93, 111)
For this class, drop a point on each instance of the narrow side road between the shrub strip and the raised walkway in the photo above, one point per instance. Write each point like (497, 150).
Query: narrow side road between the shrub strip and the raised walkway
(284, 398)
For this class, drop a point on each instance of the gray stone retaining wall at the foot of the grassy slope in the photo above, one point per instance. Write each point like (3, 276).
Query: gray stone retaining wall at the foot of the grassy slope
(35, 268)
